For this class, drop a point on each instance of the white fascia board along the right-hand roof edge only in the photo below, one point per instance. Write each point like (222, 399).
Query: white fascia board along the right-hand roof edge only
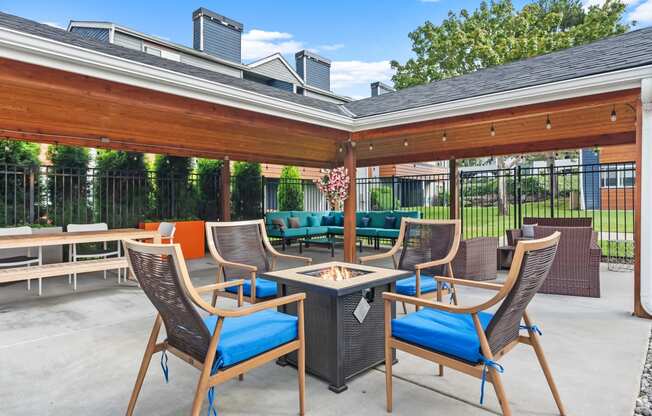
(590, 85)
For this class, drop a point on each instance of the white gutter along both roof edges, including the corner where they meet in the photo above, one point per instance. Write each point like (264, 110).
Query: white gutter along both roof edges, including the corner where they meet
(47, 52)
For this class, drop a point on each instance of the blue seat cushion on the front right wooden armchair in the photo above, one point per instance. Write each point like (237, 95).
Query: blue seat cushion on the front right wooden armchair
(452, 334)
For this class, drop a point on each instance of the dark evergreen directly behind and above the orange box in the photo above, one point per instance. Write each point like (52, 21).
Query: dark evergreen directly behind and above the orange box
(175, 197)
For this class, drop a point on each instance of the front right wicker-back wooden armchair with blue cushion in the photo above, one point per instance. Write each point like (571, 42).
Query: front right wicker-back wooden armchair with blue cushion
(470, 339)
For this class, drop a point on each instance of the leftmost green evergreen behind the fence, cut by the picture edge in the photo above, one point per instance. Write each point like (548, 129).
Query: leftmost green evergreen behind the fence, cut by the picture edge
(20, 160)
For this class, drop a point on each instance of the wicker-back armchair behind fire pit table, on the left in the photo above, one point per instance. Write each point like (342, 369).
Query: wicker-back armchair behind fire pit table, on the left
(242, 250)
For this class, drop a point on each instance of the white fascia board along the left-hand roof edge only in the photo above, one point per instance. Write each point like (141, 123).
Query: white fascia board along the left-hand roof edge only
(41, 51)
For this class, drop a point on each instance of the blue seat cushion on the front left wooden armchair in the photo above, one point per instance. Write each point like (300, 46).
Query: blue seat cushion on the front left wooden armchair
(246, 336)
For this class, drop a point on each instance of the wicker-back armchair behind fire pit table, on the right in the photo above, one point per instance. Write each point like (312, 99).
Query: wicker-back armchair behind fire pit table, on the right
(426, 247)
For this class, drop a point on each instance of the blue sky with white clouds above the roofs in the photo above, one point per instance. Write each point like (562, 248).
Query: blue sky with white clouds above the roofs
(359, 36)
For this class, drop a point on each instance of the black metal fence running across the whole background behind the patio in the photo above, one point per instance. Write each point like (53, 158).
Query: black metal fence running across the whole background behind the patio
(490, 201)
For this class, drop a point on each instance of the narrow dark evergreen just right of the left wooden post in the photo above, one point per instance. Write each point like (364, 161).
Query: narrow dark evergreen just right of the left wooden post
(246, 198)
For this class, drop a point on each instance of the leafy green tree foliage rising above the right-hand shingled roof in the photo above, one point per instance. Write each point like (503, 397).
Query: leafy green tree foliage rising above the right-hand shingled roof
(497, 33)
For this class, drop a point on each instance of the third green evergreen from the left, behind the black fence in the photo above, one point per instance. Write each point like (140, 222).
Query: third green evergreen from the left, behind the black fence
(121, 188)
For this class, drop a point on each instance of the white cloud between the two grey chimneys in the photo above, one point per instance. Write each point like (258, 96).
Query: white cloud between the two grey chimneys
(258, 44)
